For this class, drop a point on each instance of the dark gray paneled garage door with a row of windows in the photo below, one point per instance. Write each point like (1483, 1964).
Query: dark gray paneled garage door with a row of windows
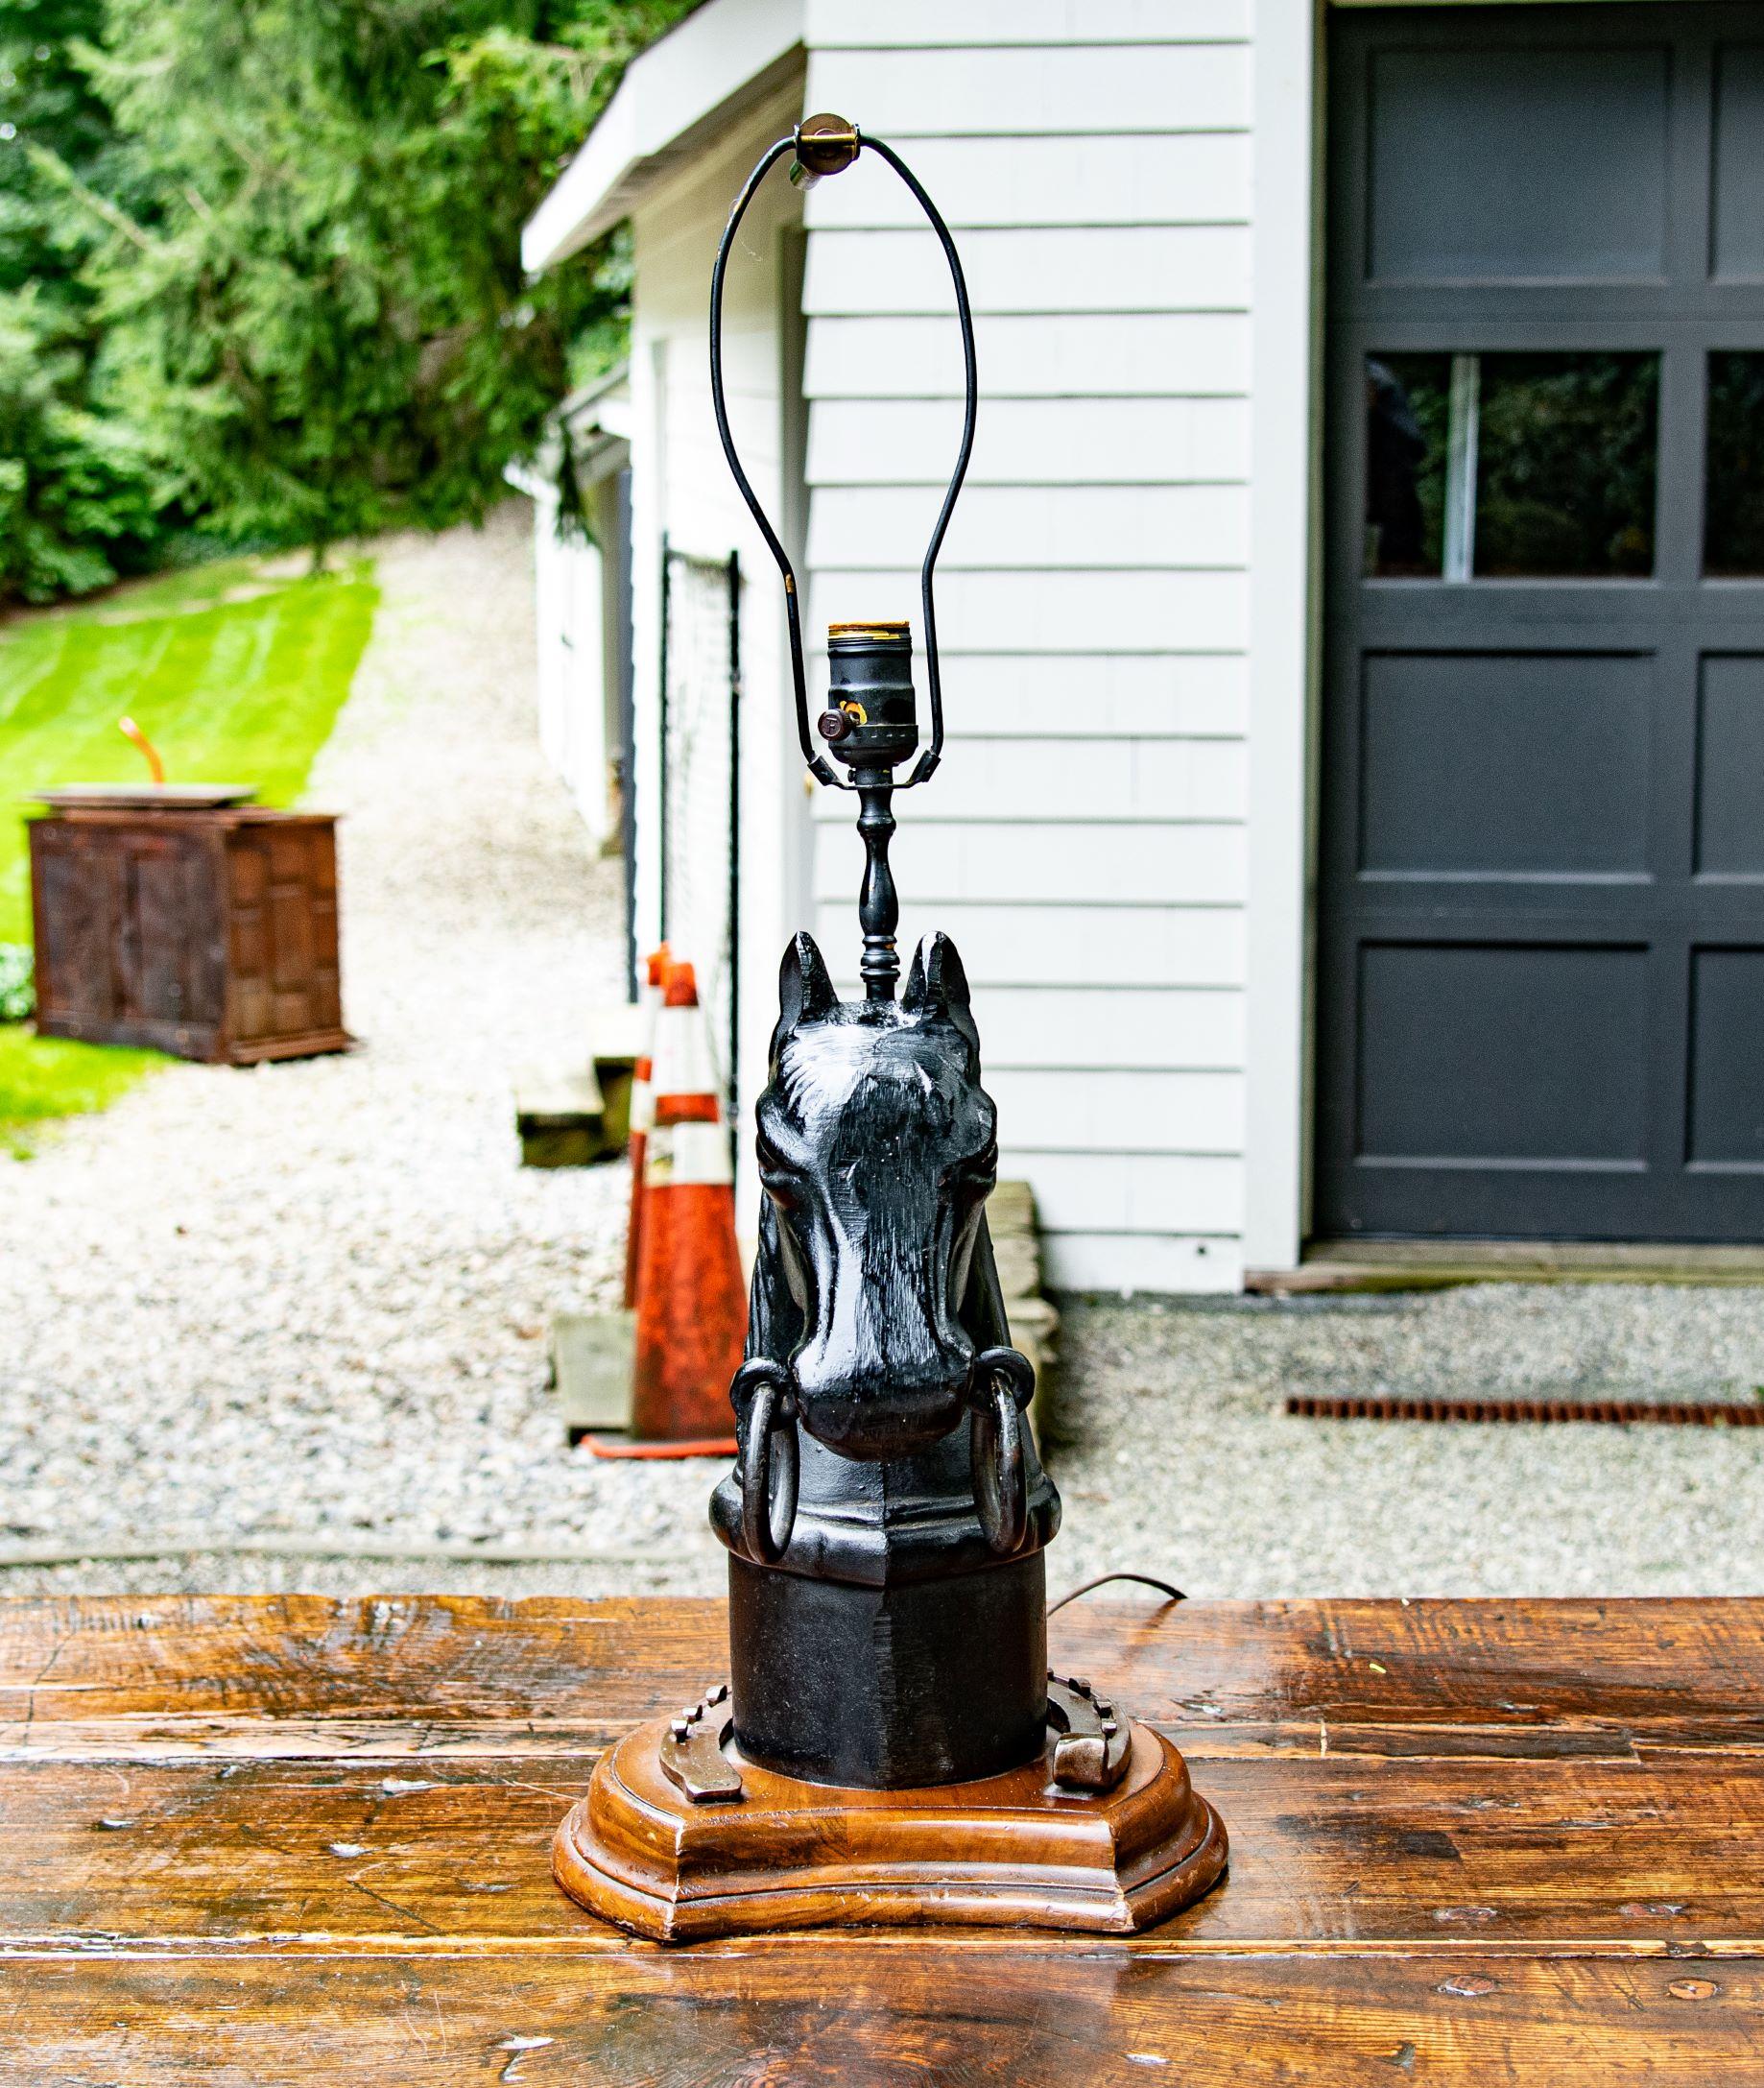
(1542, 962)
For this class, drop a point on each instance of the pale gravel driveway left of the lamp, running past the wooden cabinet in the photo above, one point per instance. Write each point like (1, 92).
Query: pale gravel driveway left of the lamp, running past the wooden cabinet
(310, 1300)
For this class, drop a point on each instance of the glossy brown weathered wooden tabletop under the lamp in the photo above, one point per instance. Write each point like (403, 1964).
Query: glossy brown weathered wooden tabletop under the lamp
(306, 1841)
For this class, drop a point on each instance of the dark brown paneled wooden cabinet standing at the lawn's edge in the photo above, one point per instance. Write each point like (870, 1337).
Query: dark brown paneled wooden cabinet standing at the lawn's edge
(204, 930)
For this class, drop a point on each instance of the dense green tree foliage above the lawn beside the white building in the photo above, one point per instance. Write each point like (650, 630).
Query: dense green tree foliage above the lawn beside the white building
(287, 237)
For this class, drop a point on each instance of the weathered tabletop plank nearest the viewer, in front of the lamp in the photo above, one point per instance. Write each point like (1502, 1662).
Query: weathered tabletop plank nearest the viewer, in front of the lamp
(876, 2012)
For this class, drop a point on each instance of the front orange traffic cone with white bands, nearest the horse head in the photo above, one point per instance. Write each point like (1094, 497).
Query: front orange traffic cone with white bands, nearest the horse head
(692, 1308)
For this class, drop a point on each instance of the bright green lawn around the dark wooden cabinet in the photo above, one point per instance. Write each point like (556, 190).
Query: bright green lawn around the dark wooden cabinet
(237, 678)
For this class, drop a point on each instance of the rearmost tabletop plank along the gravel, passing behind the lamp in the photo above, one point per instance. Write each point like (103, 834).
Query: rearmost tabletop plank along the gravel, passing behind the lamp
(1663, 1671)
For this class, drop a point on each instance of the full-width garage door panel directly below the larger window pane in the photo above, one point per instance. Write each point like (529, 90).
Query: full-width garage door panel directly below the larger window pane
(1506, 765)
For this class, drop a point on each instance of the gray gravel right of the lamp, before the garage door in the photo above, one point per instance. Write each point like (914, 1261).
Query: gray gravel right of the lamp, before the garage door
(1174, 1454)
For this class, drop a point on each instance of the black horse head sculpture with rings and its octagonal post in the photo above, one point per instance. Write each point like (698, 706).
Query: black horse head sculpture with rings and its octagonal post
(876, 1331)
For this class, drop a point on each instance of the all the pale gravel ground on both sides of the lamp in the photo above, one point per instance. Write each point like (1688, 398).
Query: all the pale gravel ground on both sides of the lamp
(304, 1306)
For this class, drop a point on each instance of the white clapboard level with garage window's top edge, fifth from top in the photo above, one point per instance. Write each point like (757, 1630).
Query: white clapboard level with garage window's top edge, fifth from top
(1032, 356)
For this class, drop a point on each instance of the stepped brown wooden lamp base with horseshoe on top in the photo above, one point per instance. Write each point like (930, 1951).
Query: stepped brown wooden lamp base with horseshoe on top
(757, 1851)
